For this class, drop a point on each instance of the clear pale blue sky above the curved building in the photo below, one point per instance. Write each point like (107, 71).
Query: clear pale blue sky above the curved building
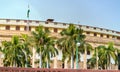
(97, 13)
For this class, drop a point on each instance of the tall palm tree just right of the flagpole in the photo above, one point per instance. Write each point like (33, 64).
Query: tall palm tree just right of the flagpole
(43, 43)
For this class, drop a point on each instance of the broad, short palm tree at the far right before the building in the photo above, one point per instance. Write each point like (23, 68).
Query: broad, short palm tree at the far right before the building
(104, 55)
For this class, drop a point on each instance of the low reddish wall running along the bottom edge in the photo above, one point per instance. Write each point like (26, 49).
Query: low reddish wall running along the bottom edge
(11, 69)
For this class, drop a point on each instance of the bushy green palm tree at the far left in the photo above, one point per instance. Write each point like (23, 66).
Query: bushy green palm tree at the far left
(13, 53)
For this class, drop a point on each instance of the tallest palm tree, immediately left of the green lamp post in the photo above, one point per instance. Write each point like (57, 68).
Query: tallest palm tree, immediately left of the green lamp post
(71, 36)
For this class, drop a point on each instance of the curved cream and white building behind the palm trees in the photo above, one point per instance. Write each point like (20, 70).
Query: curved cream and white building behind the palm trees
(94, 35)
